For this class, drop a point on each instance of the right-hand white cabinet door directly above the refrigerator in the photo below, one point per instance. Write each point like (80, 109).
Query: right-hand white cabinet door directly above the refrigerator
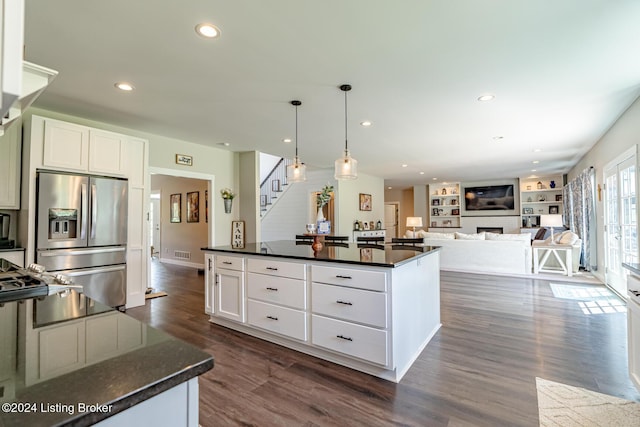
(107, 153)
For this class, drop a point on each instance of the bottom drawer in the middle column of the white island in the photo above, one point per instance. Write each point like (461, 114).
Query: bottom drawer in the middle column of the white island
(281, 320)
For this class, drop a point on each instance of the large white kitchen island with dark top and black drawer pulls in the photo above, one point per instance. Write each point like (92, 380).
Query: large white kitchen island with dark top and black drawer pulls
(373, 308)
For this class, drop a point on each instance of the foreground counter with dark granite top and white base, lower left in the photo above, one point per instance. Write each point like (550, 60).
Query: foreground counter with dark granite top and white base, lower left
(66, 359)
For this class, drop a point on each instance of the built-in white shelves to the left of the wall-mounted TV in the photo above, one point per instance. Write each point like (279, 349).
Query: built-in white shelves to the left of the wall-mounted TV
(444, 205)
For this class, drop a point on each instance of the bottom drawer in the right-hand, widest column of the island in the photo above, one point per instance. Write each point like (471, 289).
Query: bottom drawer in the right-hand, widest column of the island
(353, 340)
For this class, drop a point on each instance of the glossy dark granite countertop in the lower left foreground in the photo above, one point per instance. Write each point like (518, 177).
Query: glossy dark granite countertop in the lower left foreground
(155, 364)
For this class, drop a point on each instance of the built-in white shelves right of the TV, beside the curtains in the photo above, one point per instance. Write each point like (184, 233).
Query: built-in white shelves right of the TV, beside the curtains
(540, 196)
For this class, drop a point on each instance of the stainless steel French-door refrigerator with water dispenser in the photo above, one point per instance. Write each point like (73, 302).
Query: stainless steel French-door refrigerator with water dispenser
(81, 231)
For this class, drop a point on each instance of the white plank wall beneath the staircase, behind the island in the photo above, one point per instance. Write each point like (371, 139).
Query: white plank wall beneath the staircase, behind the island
(294, 208)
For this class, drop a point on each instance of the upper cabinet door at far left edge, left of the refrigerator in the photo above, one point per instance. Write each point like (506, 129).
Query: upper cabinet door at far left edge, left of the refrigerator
(10, 167)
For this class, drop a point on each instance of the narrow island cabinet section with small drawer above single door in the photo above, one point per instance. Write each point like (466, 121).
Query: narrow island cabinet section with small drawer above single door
(229, 288)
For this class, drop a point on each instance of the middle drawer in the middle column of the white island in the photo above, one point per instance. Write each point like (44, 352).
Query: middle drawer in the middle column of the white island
(278, 290)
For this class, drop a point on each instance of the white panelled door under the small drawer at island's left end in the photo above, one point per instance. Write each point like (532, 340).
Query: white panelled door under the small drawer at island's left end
(229, 298)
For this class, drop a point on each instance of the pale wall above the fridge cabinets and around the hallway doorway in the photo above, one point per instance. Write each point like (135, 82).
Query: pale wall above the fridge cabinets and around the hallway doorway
(162, 151)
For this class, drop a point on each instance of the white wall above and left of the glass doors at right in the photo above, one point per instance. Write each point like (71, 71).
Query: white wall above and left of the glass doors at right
(623, 135)
